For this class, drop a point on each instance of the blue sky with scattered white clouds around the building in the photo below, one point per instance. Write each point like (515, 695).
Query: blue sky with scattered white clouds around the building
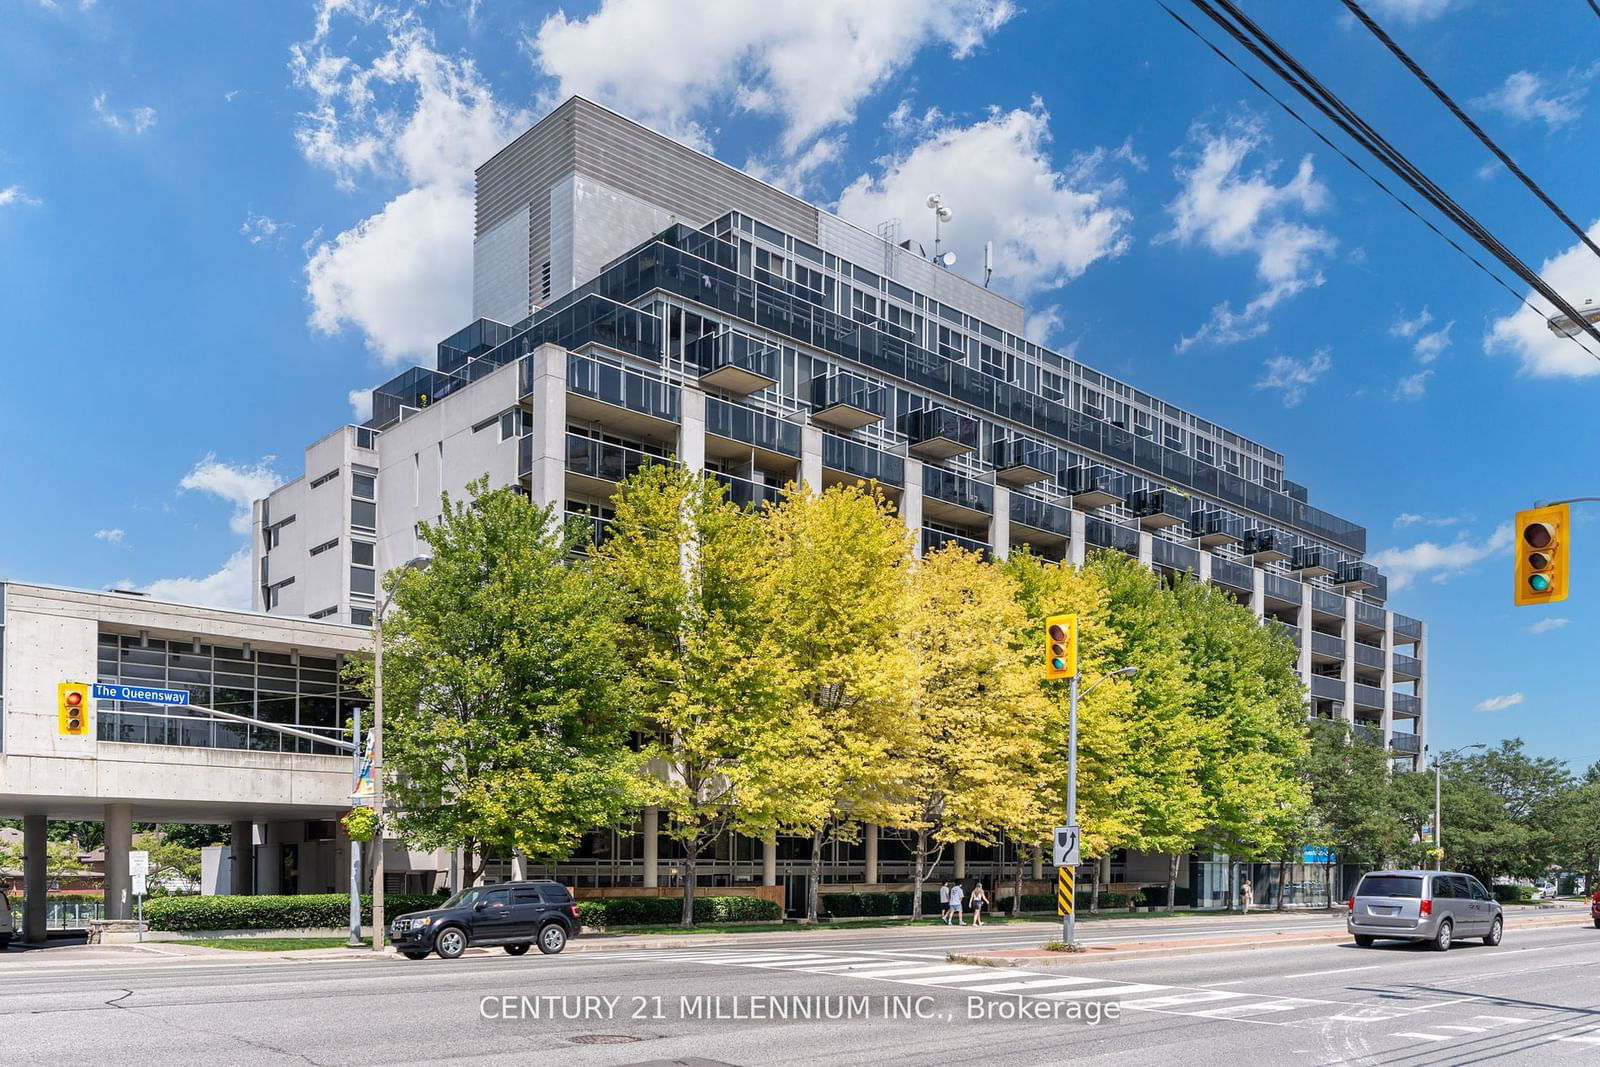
(218, 222)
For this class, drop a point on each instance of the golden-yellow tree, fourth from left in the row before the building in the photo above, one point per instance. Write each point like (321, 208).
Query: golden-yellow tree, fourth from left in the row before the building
(977, 749)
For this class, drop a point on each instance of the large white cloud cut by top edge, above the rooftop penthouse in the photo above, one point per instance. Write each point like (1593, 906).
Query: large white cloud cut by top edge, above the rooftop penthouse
(807, 63)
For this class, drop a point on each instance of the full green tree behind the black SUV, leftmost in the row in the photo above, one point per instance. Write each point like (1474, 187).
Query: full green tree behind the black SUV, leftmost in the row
(508, 701)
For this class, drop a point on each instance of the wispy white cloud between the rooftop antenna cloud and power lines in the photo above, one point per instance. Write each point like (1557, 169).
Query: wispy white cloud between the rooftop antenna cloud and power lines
(1234, 209)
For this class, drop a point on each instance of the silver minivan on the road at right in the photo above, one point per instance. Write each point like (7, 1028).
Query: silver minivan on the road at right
(1433, 906)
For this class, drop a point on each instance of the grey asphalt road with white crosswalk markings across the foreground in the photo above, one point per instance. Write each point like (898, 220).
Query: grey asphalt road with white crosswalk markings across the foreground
(1535, 999)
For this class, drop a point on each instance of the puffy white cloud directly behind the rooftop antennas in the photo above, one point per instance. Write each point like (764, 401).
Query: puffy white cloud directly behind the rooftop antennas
(1049, 225)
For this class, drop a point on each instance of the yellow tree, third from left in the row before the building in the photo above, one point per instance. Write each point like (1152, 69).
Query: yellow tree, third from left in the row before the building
(834, 589)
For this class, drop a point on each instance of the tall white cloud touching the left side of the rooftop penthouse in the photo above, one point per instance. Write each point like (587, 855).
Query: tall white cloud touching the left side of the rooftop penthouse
(402, 278)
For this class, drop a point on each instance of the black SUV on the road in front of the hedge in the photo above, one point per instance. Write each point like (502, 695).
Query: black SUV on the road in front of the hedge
(513, 916)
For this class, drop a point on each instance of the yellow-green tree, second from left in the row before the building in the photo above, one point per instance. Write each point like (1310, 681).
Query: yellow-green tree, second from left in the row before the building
(689, 562)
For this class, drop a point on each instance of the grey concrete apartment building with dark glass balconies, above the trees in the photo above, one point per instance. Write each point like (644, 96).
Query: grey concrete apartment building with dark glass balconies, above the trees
(639, 302)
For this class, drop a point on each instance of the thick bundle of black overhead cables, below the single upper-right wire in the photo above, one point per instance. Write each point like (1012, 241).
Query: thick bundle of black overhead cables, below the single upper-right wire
(1258, 42)
